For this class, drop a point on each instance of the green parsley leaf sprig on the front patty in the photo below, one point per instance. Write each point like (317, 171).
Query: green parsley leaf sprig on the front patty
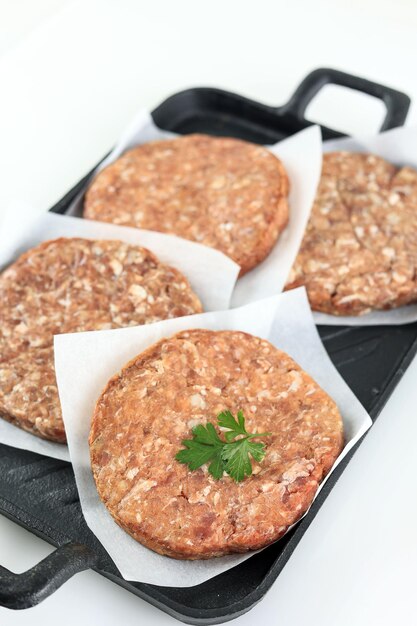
(231, 456)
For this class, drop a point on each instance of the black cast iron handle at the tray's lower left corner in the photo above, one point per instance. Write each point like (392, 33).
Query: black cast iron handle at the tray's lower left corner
(21, 591)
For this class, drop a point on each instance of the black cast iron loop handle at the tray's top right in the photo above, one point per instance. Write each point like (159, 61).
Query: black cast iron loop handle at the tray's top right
(396, 102)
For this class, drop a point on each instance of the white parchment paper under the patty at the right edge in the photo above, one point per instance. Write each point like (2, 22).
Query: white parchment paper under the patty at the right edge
(398, 146)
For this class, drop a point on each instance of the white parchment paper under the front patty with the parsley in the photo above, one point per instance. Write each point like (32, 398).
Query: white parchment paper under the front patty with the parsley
(86, 361)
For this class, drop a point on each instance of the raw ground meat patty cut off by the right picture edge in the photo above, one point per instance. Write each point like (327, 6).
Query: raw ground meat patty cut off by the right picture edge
(359, 252)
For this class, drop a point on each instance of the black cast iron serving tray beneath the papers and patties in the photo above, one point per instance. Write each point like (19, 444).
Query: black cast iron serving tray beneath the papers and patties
(39, 493)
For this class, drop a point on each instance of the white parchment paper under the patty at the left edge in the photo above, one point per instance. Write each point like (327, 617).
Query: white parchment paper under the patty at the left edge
(212, 275)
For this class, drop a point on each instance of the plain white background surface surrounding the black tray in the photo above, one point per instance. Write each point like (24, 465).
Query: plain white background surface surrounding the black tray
(71, 76)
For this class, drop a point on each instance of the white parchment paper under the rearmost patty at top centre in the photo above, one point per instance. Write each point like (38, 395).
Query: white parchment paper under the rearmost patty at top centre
(301, 155)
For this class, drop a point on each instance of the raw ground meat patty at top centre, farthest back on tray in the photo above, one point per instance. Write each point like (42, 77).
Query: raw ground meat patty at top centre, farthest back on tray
(224, 193)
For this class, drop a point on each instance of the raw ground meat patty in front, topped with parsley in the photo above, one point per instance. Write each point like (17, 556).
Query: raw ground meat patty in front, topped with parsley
(147, 409)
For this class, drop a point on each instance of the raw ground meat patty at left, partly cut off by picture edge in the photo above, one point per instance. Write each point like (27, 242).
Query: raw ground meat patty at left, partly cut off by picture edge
(70, 285)
